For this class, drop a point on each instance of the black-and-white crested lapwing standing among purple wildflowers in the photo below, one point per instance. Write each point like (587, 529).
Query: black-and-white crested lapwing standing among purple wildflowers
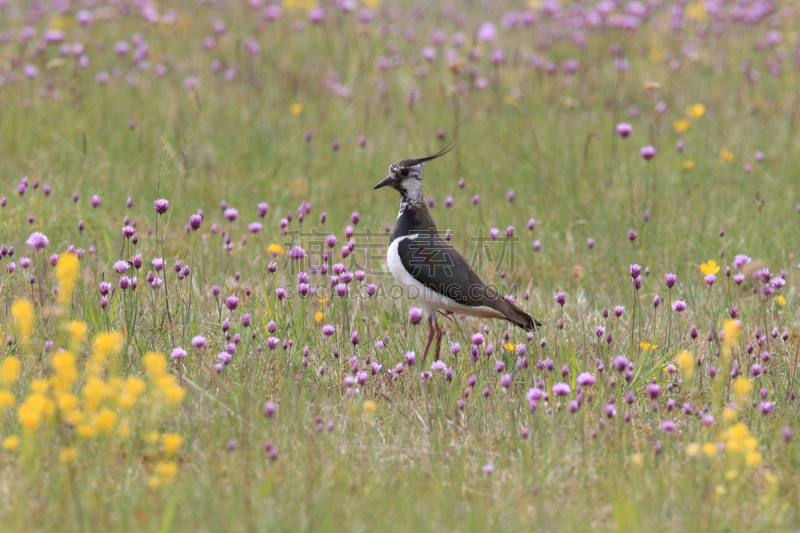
(432, 272)
